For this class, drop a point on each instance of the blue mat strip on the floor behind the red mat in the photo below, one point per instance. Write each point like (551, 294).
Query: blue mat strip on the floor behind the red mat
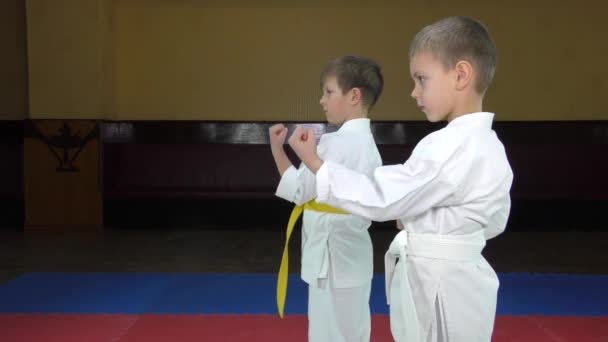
(179, 293)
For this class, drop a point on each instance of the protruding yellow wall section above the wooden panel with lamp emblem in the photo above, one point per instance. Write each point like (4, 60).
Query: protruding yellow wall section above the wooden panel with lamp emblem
(68, 54)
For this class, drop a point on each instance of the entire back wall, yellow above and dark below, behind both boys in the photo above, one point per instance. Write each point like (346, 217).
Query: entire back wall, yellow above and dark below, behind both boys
(150, 81)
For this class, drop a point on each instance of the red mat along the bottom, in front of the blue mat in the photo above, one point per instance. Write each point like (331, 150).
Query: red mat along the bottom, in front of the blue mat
(186, 328)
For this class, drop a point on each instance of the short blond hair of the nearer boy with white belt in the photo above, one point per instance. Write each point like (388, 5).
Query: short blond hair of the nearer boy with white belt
(454, 39)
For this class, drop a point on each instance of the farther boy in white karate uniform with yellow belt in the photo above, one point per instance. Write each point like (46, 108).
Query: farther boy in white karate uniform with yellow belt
(337, 255)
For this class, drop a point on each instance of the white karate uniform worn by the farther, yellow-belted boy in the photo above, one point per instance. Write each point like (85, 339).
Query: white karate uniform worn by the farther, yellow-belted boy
(337, 254)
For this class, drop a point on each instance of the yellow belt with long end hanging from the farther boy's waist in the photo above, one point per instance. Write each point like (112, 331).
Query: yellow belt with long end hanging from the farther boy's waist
(283, 270)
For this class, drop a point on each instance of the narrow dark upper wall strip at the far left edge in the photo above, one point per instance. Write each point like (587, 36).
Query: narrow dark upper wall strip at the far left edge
(13, 60)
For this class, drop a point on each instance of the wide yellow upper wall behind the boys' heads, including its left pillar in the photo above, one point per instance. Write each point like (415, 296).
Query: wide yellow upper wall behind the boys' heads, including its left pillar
(260, 60)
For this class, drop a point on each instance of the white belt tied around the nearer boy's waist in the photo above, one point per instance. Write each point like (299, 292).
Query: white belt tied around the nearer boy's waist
(446, 247)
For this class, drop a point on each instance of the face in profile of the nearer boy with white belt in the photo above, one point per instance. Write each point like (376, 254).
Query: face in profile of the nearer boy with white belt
(434, 86)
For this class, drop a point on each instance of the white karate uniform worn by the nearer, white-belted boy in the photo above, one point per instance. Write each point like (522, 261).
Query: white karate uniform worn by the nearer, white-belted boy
(450, 196)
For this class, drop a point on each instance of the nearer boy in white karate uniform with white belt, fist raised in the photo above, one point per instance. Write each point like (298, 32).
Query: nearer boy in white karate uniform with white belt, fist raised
(450, 195)
